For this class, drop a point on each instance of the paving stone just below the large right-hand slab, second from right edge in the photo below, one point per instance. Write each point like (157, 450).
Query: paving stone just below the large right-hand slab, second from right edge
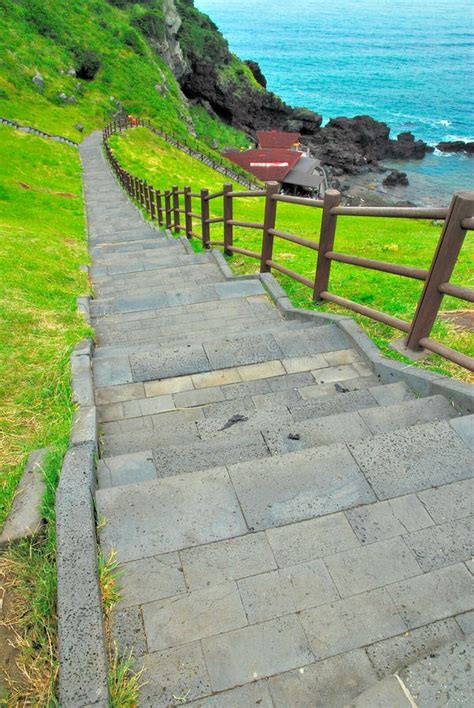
(382, 520)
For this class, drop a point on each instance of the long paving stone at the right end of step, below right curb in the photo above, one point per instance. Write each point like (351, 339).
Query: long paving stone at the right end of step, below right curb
(403, 415)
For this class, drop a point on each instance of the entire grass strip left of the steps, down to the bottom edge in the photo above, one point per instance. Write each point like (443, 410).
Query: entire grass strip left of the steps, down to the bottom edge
(43, 242)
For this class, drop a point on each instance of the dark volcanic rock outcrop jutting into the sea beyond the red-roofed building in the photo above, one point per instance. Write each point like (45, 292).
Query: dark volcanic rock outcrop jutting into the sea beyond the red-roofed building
(354, 143)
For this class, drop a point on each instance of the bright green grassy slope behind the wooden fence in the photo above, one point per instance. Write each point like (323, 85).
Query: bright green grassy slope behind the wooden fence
(398, 240)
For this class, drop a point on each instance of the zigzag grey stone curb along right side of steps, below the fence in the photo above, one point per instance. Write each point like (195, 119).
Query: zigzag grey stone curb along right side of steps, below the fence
(424, 383)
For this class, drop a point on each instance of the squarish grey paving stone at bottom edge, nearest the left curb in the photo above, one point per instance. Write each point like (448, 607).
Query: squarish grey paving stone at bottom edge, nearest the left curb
(173, 675)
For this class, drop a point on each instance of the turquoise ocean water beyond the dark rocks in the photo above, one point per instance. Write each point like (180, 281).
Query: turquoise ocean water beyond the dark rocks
(409, 64)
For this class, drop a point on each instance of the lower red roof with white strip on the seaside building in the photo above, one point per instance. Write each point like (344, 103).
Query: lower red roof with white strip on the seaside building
(266, 164)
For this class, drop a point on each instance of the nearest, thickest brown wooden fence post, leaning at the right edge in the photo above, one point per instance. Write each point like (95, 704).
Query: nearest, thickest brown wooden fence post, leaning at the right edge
(442, 266)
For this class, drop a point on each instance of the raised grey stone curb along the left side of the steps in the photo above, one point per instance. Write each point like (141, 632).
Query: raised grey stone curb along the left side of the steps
(83, 666)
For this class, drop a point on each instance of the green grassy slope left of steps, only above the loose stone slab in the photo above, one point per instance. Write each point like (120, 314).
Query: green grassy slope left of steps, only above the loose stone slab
(42, 232)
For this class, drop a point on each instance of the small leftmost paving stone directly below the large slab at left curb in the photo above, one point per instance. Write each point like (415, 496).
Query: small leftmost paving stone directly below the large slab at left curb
(150, 579)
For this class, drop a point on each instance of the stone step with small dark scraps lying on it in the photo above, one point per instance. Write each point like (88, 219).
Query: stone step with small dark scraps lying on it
(198, 447)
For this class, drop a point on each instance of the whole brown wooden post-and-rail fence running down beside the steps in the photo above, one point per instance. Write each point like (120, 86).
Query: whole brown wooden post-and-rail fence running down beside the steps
(176, 209)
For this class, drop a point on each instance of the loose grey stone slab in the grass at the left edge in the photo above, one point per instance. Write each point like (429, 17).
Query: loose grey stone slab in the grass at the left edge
(25, 519)
